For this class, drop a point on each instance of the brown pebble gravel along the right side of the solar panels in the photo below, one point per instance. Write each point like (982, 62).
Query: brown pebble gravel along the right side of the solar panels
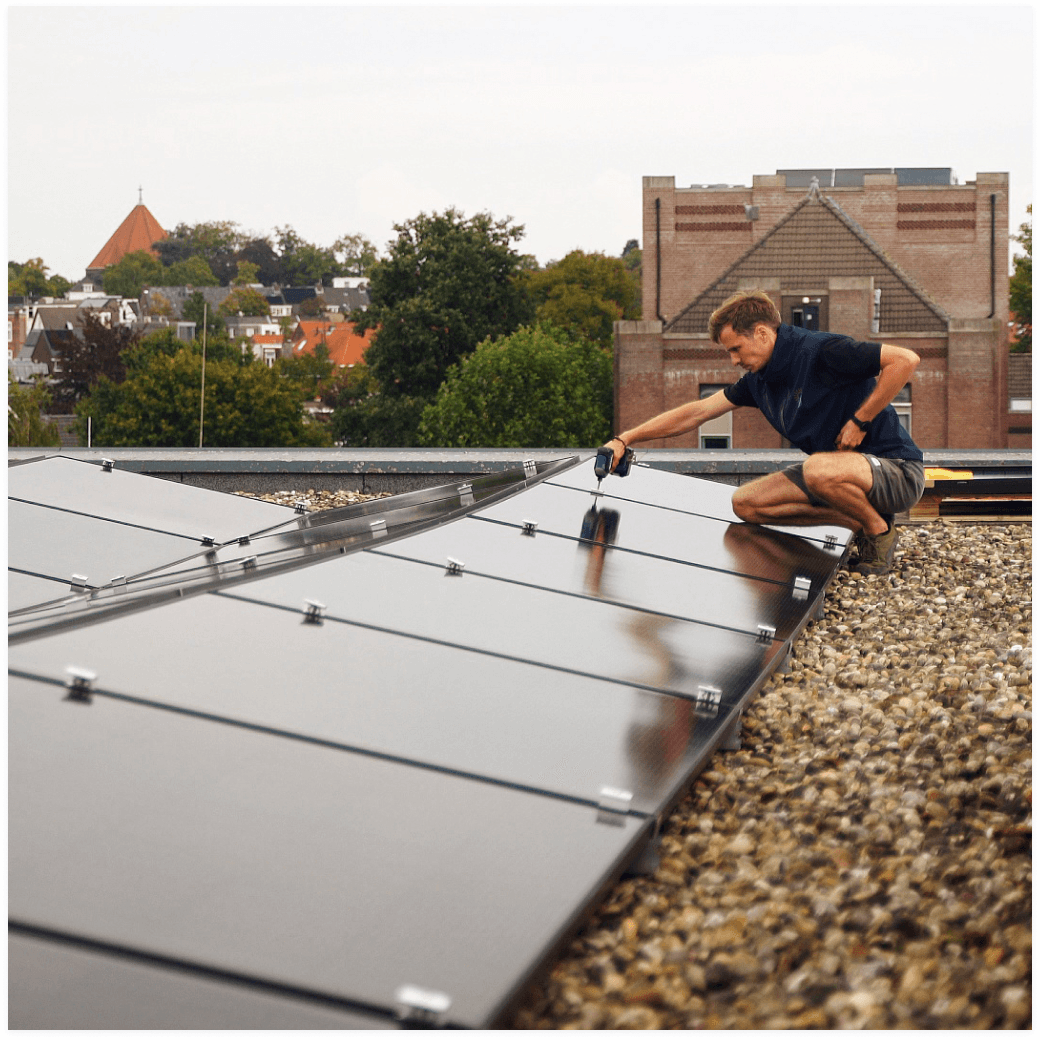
(865, 862)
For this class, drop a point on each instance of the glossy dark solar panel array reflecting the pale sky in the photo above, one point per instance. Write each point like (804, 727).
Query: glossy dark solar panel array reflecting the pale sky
(361, 769)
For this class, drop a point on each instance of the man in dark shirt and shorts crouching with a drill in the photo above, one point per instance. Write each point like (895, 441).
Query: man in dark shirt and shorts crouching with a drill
(819, 391)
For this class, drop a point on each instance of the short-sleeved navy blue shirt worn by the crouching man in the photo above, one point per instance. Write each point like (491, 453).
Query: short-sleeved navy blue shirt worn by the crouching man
(811, 388)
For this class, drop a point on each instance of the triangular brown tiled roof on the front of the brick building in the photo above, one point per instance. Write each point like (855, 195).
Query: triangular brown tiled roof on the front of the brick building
(815, 242)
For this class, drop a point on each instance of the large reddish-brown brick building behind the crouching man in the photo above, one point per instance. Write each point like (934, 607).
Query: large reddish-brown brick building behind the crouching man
(908, 257)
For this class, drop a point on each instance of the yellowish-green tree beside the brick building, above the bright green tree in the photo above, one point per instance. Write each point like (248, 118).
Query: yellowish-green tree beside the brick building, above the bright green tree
(586, 293)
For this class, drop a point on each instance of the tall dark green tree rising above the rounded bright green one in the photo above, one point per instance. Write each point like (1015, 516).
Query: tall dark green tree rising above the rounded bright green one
(449, 283)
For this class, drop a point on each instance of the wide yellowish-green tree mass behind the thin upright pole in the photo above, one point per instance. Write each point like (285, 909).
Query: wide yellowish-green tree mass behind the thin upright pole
(159, 406)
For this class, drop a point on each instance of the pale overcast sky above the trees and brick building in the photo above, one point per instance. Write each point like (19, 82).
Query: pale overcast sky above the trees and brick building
(340, 119)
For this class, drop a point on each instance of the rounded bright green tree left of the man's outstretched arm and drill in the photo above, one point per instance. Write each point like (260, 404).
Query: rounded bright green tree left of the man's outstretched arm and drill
(540, 387)
